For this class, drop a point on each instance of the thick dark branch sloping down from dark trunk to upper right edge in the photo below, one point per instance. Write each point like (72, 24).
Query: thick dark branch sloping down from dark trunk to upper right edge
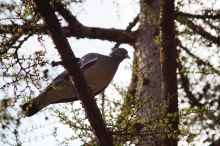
(199, 30)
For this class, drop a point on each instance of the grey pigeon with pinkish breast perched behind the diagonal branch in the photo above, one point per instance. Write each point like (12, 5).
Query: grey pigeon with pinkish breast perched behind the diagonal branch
(98, 70)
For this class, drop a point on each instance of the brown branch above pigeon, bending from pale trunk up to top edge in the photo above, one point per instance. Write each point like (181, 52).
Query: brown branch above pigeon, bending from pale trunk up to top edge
(81, 31)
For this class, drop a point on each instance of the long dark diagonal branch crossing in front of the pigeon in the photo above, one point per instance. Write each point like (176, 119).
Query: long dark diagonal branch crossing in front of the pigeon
(76, 75)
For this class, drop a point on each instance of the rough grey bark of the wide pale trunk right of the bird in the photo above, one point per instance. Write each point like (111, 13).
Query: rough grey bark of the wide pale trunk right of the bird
(149, 77)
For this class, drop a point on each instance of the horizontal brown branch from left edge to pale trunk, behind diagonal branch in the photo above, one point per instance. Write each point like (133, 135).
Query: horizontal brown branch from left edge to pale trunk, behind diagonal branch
(115, 35)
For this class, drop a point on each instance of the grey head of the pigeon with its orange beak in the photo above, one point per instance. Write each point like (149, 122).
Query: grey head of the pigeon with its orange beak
(120, 54)
